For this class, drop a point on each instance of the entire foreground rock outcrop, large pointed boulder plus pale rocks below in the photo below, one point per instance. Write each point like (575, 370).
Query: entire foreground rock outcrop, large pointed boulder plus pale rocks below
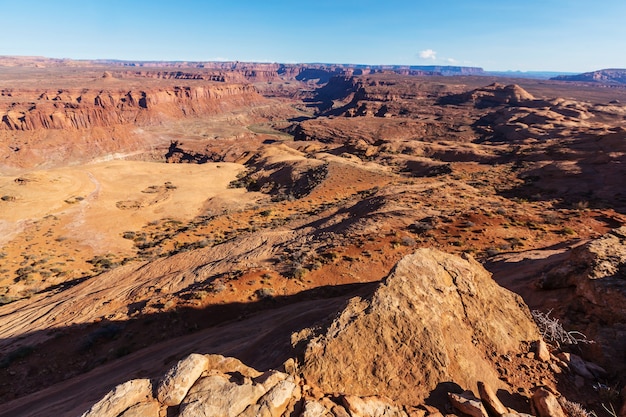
(435, 319)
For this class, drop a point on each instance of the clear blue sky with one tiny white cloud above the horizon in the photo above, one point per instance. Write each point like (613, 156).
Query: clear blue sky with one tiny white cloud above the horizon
(559, 35)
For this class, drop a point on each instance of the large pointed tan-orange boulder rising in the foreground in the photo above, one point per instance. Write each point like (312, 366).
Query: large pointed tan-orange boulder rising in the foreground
(436, 318)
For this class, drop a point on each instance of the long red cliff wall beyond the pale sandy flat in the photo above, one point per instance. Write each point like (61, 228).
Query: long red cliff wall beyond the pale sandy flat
(84, 109)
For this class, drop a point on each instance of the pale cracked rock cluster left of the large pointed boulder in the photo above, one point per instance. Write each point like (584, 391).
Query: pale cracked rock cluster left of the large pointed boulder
(203, 385)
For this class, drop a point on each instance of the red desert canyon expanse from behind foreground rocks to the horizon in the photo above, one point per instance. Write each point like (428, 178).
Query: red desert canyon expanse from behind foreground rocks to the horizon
(146, 215)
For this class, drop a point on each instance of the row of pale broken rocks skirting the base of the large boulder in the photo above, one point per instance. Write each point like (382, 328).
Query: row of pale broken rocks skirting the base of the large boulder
(214, 385)
